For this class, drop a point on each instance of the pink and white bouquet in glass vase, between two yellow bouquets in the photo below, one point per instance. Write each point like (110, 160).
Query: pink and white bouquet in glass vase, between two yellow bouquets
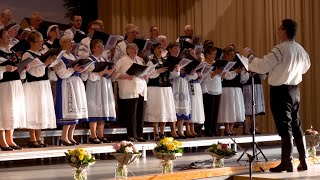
(126, 153)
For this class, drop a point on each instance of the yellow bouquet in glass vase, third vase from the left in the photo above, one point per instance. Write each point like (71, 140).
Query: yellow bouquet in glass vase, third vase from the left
(167, 149)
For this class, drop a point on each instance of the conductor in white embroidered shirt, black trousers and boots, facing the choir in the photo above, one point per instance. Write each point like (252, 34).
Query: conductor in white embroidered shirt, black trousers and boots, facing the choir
(286, 64)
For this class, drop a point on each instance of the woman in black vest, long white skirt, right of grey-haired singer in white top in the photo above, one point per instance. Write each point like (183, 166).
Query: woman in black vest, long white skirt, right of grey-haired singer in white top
(160, 105)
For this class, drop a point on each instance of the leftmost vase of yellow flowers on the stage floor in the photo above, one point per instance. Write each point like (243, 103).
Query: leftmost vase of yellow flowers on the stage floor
(80, 159)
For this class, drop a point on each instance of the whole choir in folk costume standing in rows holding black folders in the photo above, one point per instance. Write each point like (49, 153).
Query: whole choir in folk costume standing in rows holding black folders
(57, 90)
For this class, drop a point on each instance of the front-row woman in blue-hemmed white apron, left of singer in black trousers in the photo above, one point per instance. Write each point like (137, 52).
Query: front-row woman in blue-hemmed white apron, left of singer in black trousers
(100, 98)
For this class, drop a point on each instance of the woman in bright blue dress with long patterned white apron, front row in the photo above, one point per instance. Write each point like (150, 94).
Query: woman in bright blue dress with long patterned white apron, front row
(71, 101)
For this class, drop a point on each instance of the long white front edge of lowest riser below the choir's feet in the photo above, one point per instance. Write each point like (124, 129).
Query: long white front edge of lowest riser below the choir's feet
(58, 151)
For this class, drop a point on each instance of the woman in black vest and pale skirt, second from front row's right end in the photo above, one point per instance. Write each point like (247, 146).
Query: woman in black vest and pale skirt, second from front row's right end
(231, 108)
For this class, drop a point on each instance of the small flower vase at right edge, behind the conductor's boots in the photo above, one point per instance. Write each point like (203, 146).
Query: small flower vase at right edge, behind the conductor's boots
(313, 141)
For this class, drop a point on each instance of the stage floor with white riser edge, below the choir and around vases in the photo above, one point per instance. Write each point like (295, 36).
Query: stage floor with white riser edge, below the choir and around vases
(28, 164)
